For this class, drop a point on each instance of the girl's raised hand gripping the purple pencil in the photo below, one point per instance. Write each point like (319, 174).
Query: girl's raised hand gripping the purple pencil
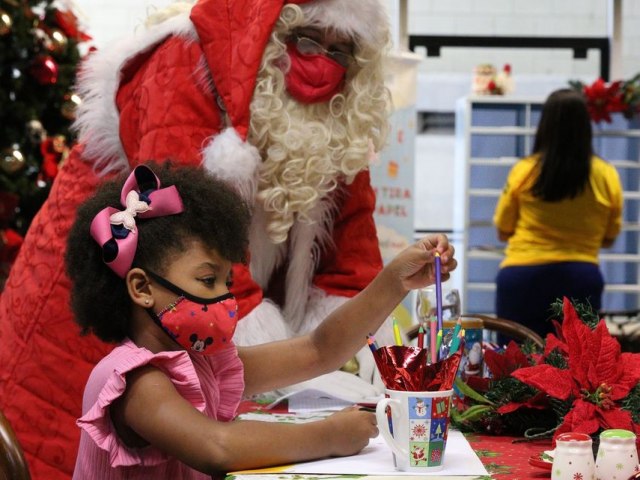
(415, 265)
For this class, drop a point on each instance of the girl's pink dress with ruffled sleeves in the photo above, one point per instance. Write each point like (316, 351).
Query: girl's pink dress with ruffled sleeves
(211, 383)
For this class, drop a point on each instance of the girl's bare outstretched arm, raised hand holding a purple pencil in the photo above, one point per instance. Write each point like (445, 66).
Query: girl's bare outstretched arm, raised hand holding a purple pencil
(344, 331)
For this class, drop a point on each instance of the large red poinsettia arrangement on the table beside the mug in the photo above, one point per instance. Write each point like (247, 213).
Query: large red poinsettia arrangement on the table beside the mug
(581, 382)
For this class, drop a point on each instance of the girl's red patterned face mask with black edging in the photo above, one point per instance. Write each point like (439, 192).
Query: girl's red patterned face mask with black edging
(201, 325)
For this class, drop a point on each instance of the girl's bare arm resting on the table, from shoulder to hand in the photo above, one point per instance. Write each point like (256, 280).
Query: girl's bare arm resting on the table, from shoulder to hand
(159, 415)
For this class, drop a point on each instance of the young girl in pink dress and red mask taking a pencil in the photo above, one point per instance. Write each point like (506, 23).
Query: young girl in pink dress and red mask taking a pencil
(149, 264)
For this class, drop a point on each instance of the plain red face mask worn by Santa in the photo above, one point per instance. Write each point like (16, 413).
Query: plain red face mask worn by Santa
(313, 78)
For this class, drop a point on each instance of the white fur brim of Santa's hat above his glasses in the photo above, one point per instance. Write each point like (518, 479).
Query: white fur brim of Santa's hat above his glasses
(364, 20)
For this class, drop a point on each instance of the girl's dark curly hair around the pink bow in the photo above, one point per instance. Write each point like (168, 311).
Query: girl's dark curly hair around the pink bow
(213, 214)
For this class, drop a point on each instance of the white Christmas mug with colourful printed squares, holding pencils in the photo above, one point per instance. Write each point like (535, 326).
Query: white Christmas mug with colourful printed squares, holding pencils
(415, 426)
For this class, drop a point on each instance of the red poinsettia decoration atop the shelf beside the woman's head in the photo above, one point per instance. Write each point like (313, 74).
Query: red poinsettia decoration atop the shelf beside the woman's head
(621, 96)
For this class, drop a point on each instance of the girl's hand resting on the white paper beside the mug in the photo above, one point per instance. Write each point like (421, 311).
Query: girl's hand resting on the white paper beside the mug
(350, 430)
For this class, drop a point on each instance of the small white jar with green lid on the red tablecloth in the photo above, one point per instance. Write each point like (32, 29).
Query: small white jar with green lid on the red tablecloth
(617, 457)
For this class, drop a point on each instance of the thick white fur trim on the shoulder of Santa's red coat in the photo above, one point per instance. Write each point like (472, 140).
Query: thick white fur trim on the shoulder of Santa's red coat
(99, 79)
